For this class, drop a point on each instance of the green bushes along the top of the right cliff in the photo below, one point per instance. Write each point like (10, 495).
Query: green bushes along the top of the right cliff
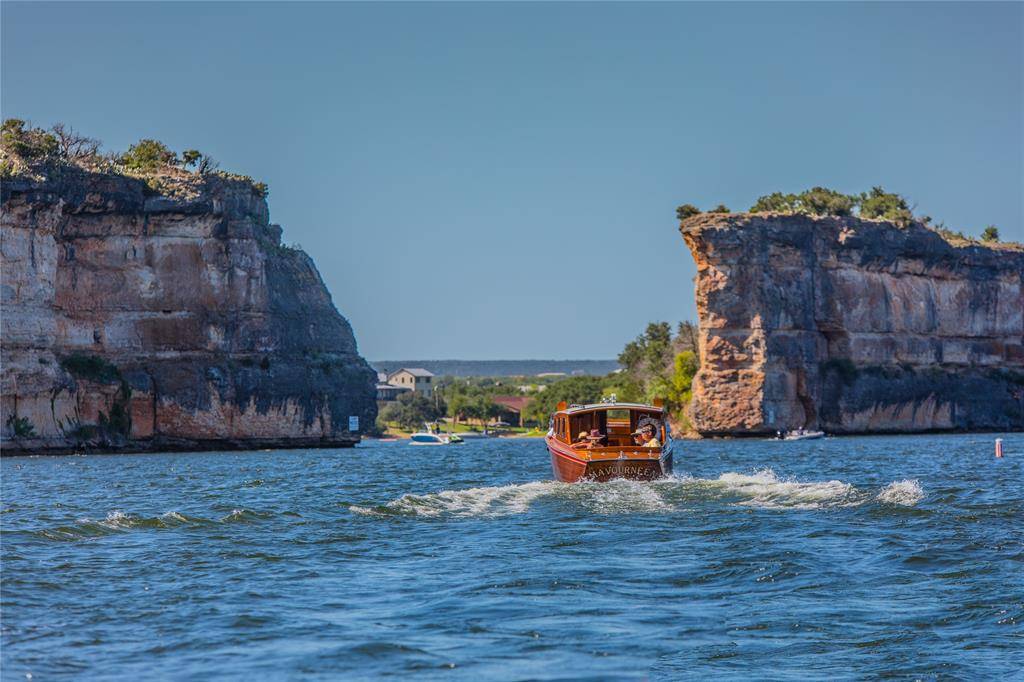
(875, 205)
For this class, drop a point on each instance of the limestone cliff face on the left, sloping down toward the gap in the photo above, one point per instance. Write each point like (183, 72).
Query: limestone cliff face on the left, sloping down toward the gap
(138, 321)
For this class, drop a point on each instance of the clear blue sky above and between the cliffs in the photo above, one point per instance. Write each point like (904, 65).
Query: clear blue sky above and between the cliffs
(444, 163)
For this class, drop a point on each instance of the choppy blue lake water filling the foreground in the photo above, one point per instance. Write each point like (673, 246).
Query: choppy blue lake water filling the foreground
(838, 559)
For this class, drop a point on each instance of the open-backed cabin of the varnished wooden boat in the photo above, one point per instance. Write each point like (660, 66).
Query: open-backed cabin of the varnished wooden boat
(615, 421)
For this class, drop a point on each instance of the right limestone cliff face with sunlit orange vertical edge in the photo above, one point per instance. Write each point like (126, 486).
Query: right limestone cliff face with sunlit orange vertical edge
(854, 326)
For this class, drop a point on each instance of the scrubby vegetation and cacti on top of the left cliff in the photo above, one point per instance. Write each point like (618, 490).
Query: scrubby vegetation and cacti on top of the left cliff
(38, 154)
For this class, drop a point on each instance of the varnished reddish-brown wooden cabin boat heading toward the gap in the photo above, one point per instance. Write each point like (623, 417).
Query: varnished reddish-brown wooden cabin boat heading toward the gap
(615, 455)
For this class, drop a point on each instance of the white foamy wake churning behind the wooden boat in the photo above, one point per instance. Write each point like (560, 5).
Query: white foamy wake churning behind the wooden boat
(761, 490)
